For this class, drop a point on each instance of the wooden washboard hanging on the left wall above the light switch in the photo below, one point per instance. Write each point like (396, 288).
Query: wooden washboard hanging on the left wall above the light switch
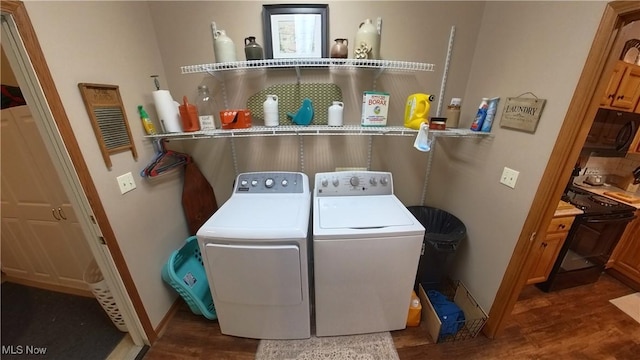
(108, 118)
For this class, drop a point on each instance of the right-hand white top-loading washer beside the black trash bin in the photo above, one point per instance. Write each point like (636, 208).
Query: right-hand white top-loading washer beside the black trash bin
(366, 248)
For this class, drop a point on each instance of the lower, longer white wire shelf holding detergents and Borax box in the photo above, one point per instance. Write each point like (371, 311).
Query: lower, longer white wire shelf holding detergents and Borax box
(287, 130)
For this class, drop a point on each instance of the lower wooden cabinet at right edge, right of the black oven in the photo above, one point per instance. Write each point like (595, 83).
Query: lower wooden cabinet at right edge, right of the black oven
(625, 259)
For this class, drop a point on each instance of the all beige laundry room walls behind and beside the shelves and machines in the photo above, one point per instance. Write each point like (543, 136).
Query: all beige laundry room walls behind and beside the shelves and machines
(501, 49)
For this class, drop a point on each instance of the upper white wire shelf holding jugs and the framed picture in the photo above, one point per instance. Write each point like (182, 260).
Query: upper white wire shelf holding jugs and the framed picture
(330, 63)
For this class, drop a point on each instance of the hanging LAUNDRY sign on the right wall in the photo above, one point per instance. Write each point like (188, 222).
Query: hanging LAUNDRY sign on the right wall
(522, 113)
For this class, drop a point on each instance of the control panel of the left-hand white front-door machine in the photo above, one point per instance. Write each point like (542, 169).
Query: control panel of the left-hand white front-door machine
(270, 182)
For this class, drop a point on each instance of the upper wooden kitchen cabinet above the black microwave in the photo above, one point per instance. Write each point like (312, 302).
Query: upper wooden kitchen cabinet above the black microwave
(623, 90)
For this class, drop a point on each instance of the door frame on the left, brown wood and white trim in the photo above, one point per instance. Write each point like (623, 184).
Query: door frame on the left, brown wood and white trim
(33, 75)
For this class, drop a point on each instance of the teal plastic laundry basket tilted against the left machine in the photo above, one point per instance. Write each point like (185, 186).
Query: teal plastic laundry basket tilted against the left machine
(185, 272)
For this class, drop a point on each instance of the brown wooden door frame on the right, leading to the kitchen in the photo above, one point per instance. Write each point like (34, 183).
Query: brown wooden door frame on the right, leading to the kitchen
(573, 133)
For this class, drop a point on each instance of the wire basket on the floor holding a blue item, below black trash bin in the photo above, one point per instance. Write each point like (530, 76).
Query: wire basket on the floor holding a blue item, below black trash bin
(474, 316)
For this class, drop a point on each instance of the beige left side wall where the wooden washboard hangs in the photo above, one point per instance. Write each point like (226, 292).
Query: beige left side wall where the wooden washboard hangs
(114, 43)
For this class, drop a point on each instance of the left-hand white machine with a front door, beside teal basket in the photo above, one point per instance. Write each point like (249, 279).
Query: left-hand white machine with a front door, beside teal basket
(255, 251)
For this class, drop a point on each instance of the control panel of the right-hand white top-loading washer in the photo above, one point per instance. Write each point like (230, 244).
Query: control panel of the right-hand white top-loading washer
(347, 183)
